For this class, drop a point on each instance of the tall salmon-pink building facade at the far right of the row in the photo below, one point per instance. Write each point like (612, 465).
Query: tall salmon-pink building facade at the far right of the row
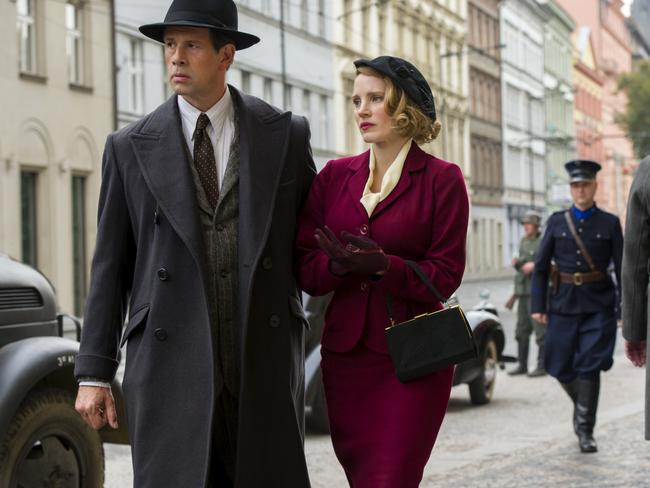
(613, 52)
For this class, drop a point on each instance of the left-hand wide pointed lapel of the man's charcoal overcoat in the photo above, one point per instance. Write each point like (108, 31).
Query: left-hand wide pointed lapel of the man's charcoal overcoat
(160, 150)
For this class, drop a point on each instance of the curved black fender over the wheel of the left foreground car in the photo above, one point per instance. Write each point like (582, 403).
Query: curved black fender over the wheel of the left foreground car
(45, 361)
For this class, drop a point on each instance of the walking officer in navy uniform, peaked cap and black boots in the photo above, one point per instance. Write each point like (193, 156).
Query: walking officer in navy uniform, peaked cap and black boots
(581, 305)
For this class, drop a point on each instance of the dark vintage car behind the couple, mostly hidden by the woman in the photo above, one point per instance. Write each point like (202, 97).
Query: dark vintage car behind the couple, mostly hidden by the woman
(479, 374)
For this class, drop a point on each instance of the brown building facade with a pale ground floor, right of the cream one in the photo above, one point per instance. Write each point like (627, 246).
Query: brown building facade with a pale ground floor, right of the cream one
(487, 231)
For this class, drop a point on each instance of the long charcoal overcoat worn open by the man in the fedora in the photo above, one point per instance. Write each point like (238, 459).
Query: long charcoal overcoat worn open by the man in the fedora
(150, 259)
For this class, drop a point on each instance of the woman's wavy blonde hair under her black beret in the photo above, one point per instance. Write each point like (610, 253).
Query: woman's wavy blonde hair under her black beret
(410, 121)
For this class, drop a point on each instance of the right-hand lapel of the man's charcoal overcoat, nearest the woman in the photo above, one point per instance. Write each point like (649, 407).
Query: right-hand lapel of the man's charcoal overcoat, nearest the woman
(263, 144)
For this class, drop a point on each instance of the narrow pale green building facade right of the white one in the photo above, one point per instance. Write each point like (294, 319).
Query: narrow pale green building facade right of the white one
(559, 102)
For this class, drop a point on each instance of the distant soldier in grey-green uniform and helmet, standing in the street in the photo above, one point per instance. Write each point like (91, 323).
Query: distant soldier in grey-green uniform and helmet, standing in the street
(524, 264)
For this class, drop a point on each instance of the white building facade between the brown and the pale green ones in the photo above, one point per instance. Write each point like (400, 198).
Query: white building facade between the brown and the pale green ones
(523, 119)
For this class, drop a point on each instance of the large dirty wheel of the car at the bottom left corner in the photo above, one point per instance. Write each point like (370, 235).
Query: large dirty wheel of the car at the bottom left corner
(49, 444)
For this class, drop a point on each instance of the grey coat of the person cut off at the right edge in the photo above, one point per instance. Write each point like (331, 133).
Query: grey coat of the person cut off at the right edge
(636, 269)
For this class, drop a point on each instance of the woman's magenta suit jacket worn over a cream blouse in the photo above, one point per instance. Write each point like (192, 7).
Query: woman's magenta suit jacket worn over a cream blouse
(424, 219)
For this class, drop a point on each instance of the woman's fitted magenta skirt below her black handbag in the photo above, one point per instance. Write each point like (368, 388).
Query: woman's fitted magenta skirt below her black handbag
(383, 431)
